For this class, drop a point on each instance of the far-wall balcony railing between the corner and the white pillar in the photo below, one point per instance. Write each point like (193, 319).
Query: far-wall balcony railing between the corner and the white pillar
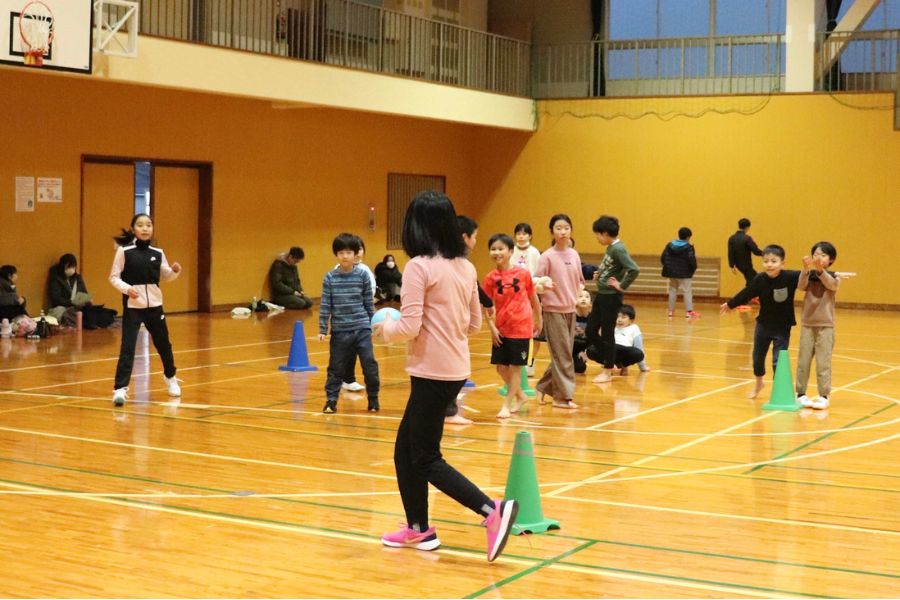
(653, 67)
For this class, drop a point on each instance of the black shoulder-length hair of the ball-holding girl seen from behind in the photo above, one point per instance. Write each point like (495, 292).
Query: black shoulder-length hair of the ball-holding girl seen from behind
(430, 228)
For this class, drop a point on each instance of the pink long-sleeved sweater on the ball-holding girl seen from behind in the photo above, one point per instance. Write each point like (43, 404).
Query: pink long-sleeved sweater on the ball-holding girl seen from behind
(439, 310)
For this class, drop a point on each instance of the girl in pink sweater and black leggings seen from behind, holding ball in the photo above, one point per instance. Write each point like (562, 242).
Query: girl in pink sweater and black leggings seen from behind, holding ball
(439, 310)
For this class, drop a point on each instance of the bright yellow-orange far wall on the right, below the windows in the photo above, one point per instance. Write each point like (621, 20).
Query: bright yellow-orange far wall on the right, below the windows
(801, 167)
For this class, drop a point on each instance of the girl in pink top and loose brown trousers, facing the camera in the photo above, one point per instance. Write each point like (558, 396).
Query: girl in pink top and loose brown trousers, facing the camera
(563, 265)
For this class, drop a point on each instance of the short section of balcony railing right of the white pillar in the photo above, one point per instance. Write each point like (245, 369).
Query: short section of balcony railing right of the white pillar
(857, 60)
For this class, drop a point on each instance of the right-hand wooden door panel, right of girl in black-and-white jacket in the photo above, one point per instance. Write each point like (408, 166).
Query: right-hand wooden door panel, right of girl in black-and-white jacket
(175, 201)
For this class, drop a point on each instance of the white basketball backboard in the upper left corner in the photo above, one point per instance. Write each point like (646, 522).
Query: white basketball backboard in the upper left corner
(70, 46)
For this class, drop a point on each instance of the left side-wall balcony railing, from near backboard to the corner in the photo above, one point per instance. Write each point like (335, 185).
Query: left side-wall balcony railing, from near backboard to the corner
(348, 33)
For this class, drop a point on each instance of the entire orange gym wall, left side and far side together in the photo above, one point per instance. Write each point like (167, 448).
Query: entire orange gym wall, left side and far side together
(801, 167)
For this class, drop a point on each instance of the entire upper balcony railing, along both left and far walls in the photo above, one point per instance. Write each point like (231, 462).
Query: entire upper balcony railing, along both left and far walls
(352, 33)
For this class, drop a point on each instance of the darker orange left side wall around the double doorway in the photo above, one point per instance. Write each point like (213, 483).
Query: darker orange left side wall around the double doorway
(281, 177)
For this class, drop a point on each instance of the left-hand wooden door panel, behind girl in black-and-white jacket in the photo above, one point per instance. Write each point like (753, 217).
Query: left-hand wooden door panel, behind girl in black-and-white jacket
(108, 206)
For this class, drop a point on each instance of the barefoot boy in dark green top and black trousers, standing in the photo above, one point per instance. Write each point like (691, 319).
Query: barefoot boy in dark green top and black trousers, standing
(617, 272)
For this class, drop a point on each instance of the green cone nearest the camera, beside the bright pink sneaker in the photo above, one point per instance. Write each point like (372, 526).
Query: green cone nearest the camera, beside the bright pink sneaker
(521, 485)
